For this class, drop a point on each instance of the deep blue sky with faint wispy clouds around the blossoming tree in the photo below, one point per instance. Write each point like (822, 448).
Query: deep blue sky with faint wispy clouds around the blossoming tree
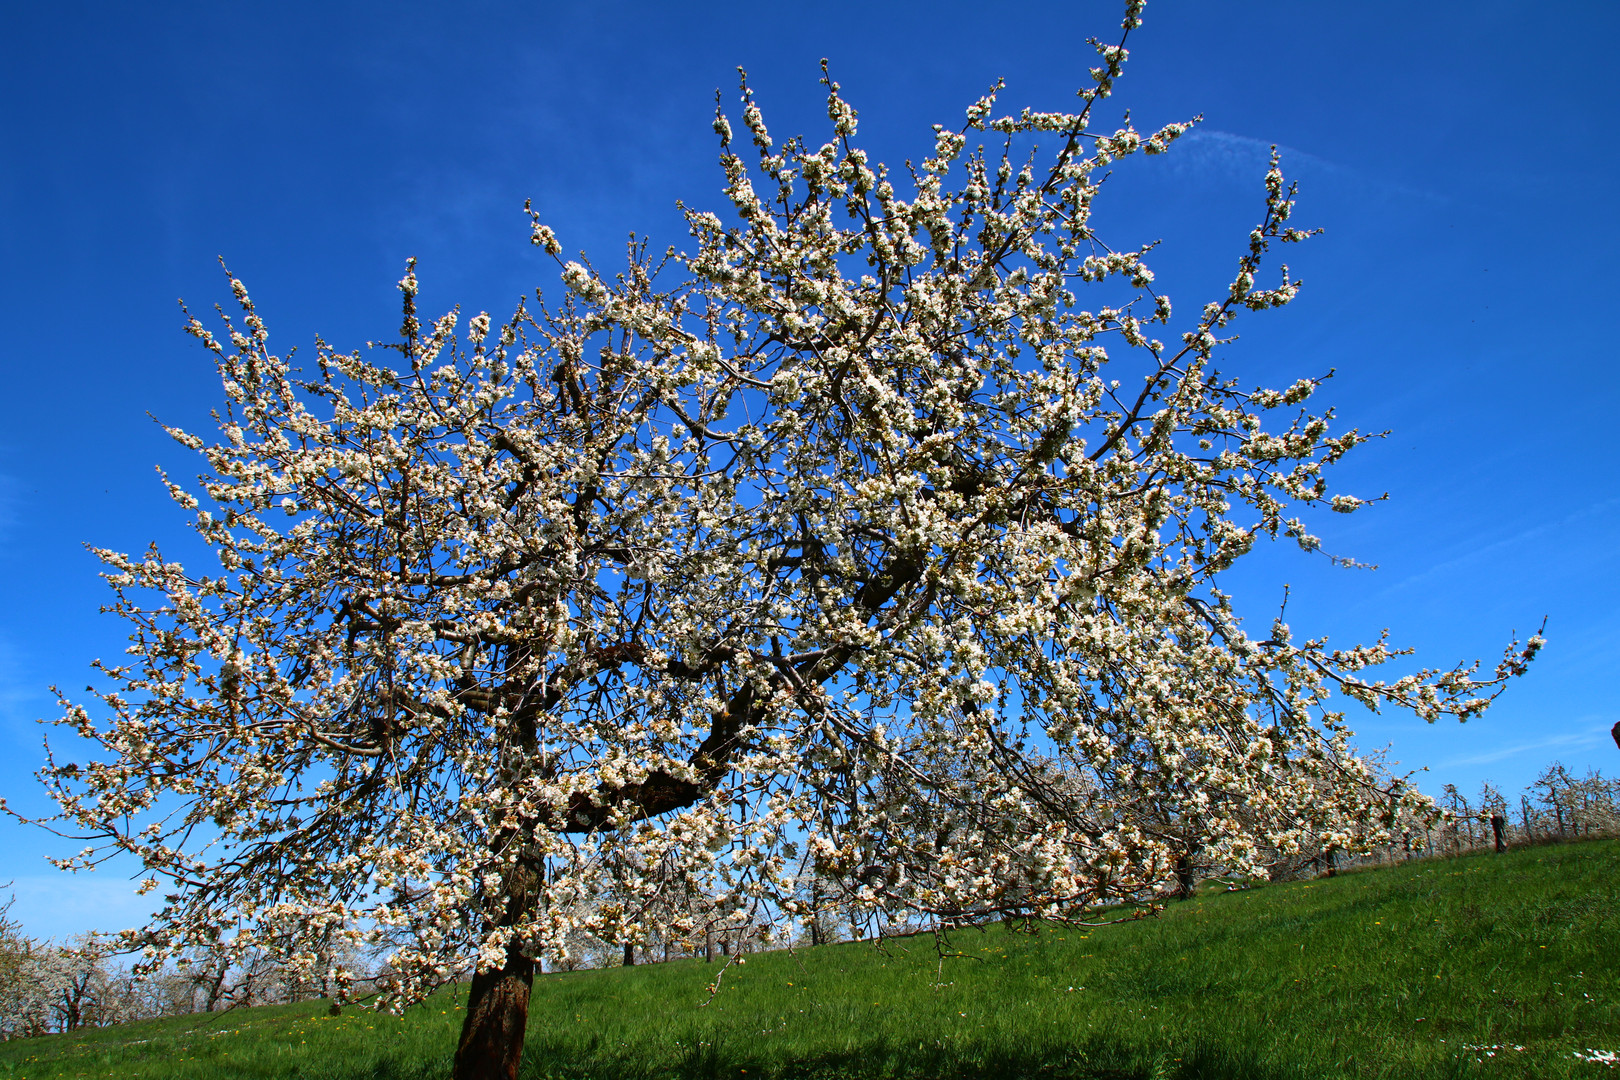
(1460, 156)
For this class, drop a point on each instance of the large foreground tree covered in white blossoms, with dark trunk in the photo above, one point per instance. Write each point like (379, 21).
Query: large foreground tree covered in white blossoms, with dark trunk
(855, 522)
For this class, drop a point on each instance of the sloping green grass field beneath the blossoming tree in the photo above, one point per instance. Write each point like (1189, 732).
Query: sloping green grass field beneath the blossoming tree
(1490, 966)
